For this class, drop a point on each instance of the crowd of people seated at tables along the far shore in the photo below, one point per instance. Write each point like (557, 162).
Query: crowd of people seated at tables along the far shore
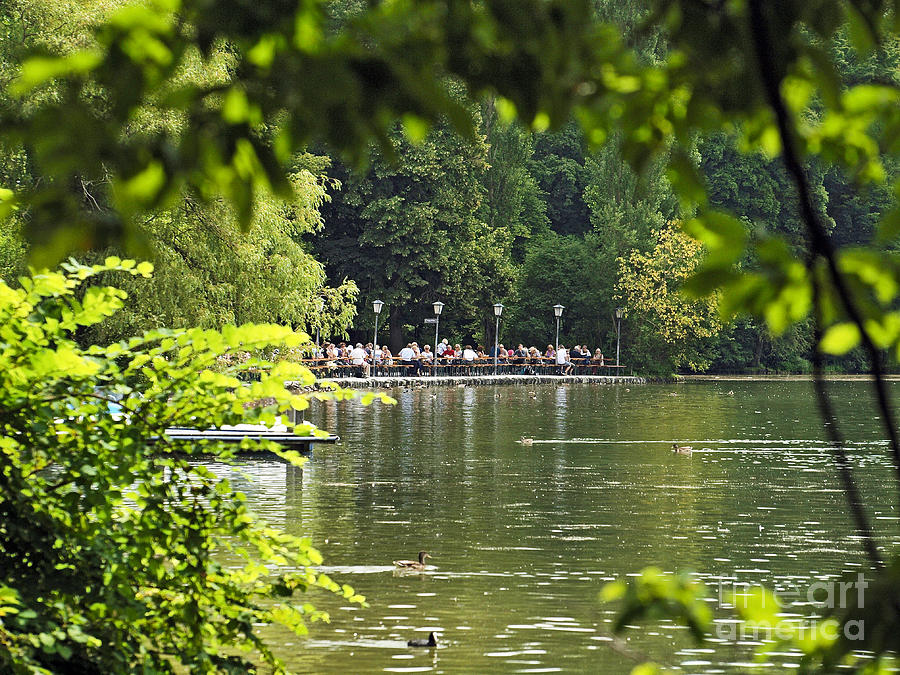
(415, 360)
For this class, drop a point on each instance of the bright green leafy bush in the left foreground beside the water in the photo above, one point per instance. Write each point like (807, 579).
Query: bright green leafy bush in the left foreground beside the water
(117, 550)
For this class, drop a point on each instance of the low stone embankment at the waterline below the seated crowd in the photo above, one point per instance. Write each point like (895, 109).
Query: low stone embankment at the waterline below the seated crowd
(480, 380)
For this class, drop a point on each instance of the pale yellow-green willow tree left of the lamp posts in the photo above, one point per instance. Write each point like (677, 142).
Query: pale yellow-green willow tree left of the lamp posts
(209, 273)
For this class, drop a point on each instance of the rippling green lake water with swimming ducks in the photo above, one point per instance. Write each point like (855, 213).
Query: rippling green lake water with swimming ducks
(524, 537)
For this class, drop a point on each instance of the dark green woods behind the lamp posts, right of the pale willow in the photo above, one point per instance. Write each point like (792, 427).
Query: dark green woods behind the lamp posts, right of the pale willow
(531, 219)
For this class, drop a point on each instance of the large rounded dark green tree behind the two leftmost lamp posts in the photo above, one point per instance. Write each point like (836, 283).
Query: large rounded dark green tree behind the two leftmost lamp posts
(407, 231)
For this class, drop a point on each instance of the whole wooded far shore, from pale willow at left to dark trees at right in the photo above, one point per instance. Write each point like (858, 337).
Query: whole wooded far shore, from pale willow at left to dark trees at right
(529, 217)
